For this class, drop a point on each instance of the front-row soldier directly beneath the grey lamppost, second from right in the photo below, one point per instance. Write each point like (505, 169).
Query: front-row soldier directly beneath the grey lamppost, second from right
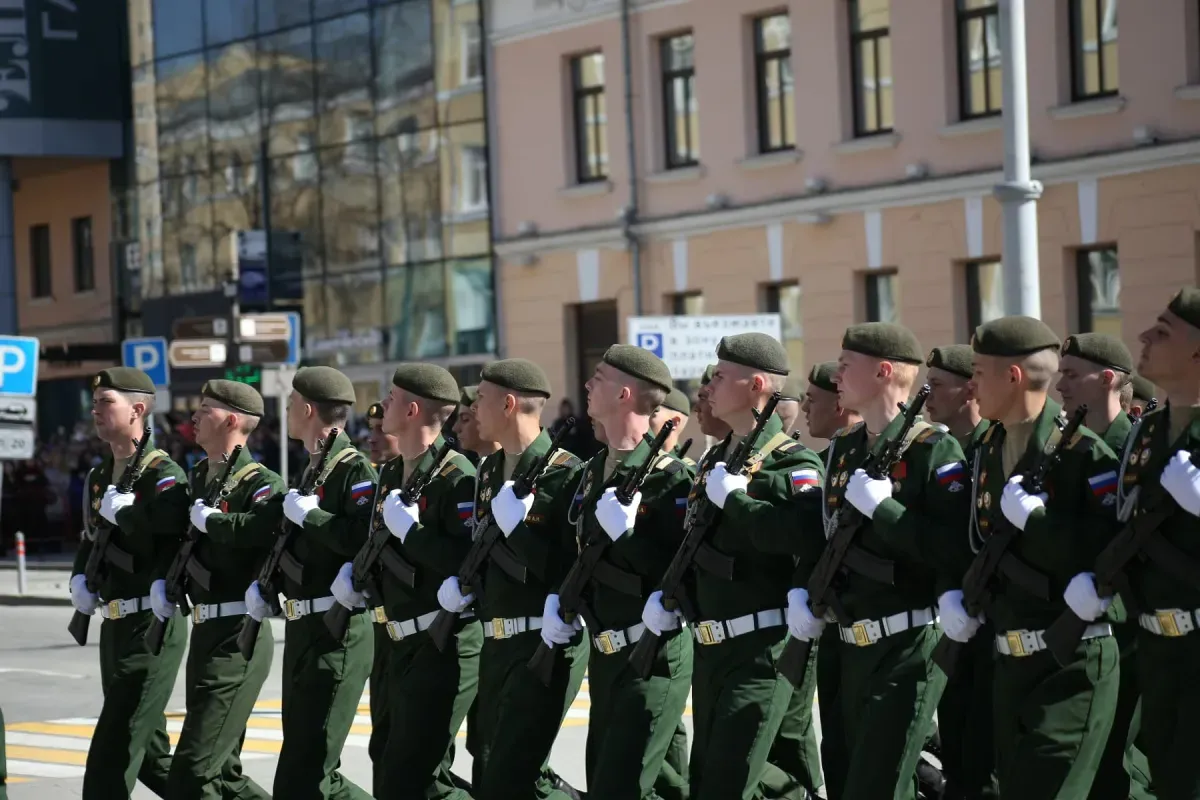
(1051, 721)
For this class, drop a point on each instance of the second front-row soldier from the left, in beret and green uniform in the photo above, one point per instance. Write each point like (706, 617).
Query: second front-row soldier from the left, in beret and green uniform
(237, 533)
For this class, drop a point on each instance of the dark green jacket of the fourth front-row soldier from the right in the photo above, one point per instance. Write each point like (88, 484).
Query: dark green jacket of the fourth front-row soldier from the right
(761, 528)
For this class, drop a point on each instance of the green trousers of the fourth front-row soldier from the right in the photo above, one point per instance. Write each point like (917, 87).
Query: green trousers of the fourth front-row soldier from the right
(739, 703)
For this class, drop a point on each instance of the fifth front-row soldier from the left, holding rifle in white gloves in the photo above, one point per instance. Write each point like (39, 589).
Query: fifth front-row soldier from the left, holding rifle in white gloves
(518, 718)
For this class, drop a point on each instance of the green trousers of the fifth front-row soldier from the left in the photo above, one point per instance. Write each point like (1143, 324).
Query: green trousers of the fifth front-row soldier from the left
(519, 718)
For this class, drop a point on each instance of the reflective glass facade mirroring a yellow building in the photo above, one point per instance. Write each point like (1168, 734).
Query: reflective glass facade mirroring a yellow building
(365, 122)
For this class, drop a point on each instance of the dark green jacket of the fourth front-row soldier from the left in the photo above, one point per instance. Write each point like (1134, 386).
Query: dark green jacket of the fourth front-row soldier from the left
(436, 546)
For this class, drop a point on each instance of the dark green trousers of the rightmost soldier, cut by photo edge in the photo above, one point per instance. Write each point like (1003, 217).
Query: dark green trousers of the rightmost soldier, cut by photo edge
(1171, 706)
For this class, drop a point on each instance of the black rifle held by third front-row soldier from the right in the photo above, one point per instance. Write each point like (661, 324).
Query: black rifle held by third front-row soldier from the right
(841, 551)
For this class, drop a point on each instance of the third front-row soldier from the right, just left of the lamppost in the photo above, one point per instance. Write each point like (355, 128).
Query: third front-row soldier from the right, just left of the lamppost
(890, 687)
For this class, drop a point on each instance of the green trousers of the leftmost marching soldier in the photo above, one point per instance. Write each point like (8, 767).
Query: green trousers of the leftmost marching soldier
(130, 743)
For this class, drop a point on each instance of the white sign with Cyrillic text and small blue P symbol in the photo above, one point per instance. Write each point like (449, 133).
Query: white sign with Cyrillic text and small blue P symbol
(688, 344)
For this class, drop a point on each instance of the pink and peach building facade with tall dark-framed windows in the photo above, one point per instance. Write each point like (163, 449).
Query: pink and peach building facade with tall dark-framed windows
(832, 161)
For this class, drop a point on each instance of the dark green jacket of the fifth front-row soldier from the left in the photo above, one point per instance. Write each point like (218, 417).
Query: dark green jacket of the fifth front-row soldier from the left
(543, 543)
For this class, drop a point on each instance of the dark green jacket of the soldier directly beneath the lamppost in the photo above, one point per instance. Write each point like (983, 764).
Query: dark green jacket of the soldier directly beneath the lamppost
(1059, 542)
